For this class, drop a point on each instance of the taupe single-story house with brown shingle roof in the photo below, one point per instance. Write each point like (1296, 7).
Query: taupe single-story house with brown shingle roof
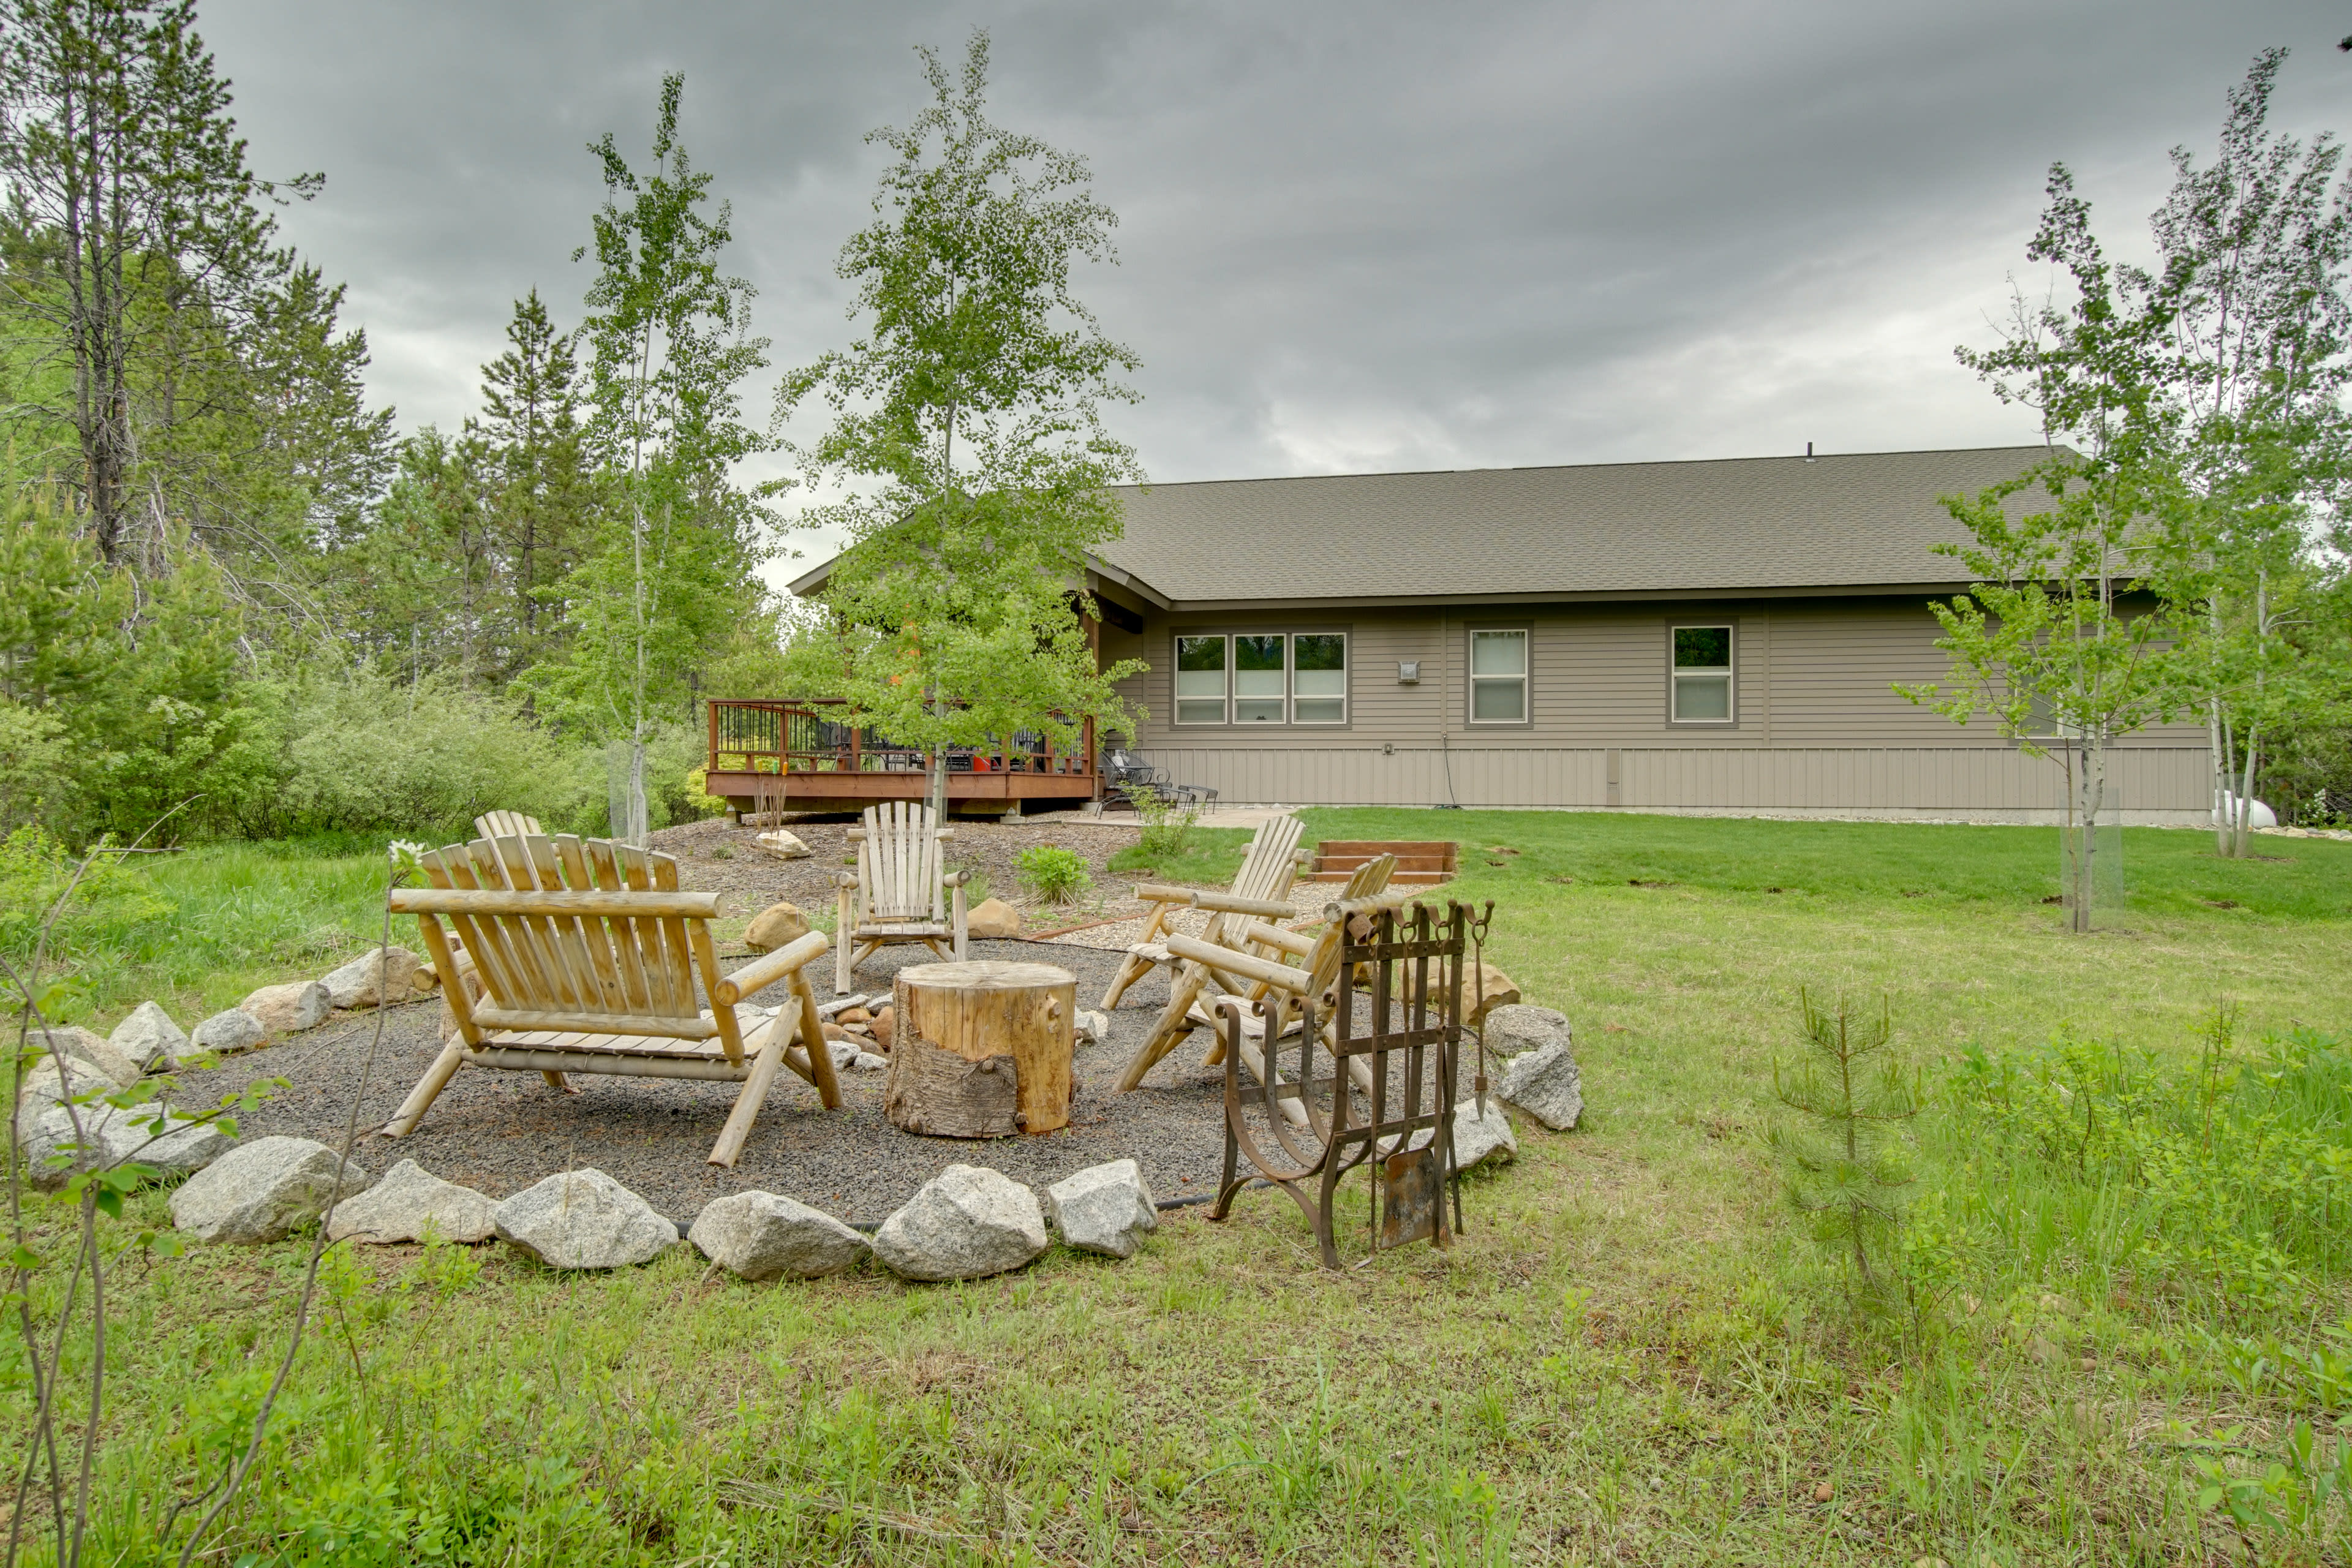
(1704, 636)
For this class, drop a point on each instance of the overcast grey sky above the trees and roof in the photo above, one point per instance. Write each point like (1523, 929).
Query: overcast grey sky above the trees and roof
(1354, 236)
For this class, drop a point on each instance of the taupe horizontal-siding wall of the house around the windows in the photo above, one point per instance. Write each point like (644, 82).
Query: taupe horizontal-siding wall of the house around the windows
(1817, 723)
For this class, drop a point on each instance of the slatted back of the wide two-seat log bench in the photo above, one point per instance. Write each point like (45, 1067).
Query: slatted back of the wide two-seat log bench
(599, 965)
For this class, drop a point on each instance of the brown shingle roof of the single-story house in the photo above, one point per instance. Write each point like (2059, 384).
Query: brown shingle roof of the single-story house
(1857, 521)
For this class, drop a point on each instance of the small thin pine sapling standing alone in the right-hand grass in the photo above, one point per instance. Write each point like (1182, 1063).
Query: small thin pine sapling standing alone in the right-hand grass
(1840, 1158)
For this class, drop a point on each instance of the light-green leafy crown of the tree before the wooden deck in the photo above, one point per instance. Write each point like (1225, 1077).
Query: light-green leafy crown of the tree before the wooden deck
(970, 436)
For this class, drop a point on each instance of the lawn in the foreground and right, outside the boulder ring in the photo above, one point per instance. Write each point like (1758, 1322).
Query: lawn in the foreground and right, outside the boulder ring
(1633, 1355)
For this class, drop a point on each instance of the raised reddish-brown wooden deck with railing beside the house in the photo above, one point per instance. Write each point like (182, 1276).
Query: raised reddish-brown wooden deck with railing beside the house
(770, 756)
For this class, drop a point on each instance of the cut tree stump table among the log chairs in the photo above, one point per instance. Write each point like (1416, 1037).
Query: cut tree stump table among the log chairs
(982, 1050)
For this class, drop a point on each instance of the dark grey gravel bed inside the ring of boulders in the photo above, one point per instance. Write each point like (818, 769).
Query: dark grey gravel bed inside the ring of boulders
(502, 1132)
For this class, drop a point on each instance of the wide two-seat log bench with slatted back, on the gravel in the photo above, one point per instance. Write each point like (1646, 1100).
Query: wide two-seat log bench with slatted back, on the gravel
(587, 956)
